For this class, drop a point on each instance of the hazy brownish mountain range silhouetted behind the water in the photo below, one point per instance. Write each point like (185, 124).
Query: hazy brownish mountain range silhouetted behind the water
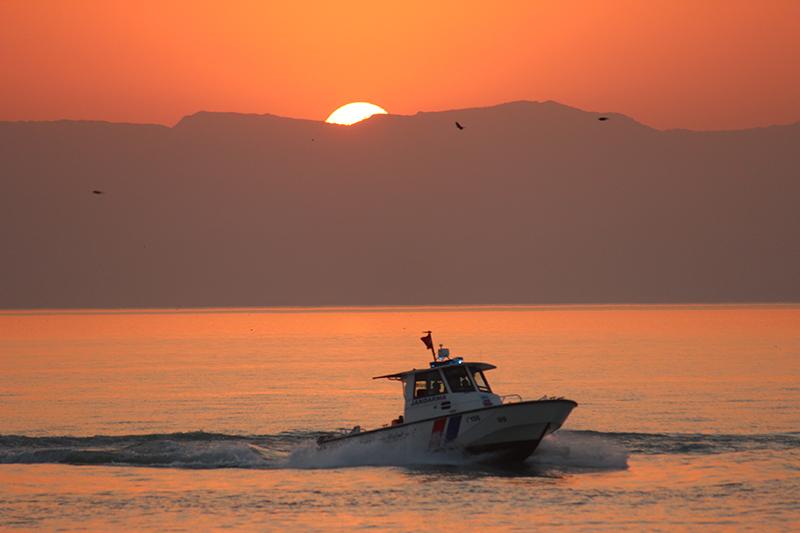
(529, 203)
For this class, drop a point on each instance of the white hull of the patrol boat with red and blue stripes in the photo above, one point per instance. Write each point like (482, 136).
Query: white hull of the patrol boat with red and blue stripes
(507, 432)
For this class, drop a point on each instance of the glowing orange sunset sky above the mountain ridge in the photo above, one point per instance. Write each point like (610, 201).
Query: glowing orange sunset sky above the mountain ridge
(709, 64)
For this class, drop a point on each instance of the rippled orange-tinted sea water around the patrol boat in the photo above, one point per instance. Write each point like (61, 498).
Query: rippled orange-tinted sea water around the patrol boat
(688, 419)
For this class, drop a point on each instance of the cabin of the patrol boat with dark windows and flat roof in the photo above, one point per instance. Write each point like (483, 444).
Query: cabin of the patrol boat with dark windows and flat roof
(449, 386)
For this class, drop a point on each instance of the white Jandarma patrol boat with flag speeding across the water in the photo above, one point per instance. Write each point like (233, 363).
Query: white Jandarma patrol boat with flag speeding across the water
(449, 406)
